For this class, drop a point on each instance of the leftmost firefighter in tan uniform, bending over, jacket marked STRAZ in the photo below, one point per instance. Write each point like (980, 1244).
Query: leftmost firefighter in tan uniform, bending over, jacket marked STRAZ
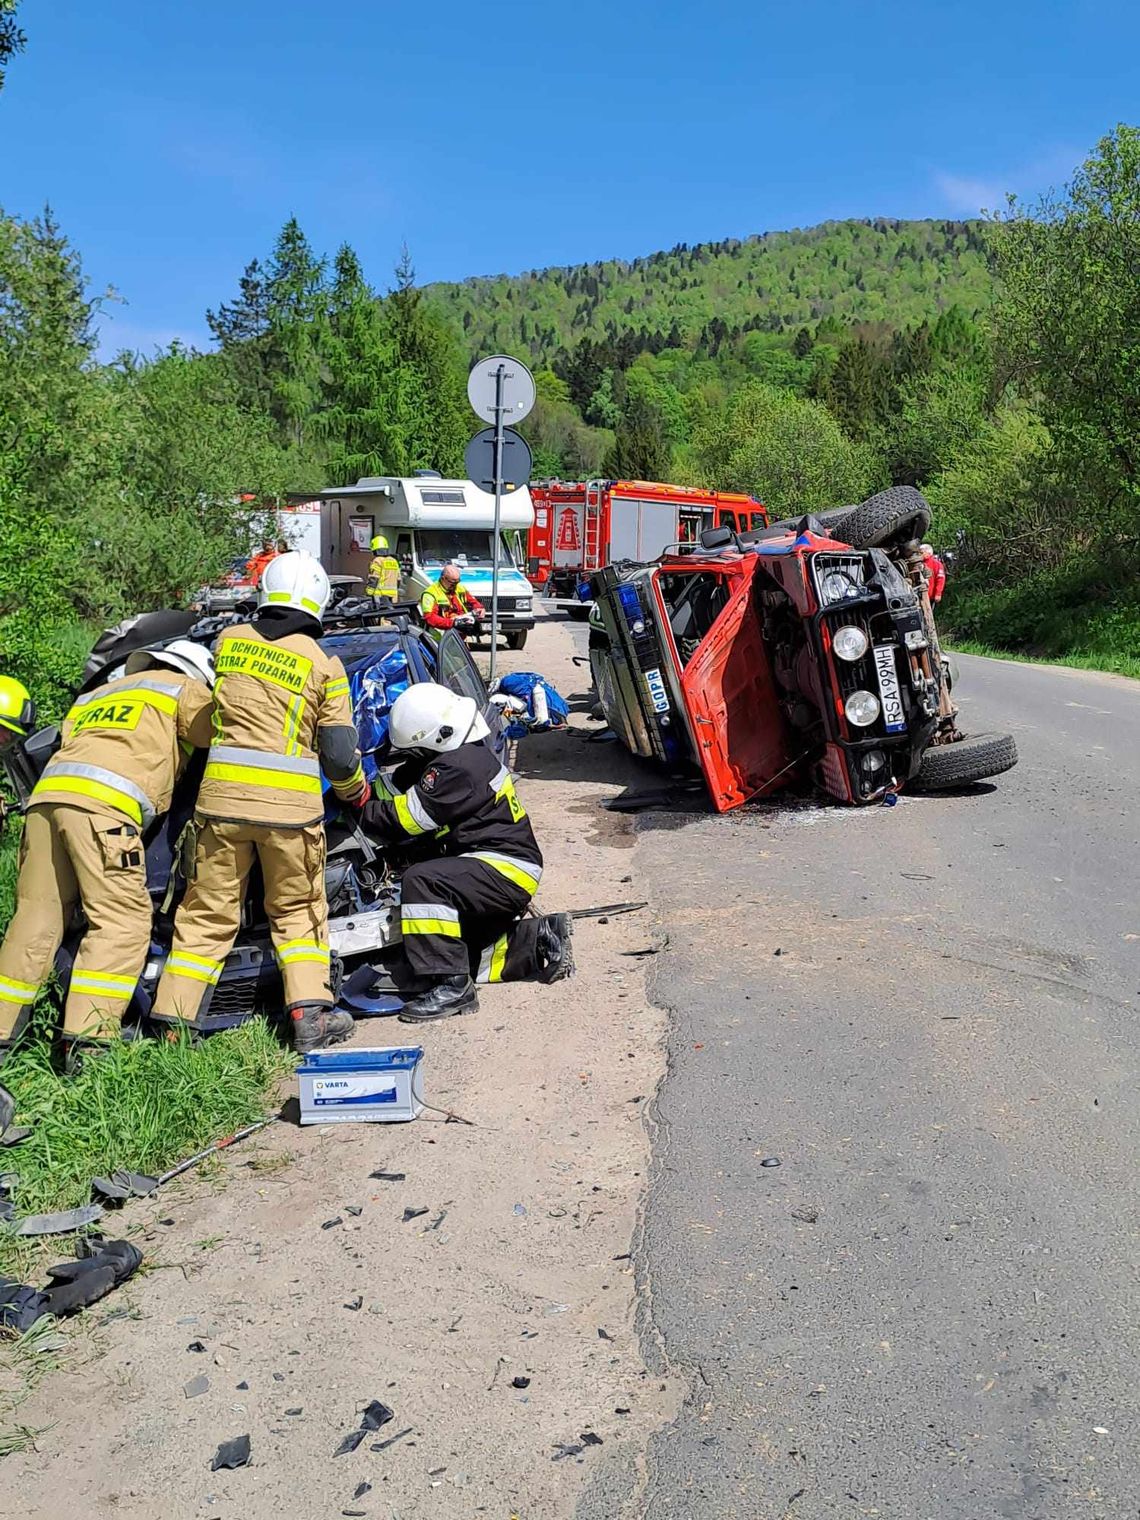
(122, 750)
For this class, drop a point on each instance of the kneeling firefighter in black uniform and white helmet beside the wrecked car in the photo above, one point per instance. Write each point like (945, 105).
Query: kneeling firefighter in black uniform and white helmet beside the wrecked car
(464, 901)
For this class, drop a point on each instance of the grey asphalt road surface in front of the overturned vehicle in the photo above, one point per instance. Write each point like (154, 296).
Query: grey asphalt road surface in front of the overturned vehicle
(928, 1016)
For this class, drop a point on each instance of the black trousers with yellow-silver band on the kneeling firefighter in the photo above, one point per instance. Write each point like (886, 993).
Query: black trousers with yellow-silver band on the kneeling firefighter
(454, 907)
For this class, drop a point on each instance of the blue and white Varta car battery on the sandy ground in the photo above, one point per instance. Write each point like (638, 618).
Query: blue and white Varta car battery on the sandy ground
(378, 1085)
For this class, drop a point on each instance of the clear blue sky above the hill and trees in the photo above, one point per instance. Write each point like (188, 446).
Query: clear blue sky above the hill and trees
(173, 139)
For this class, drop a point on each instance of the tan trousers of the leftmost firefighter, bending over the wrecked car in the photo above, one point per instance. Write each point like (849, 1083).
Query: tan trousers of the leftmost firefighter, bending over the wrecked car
(71, 860)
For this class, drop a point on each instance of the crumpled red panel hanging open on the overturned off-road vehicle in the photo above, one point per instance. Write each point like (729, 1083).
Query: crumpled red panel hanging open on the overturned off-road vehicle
(733, 706)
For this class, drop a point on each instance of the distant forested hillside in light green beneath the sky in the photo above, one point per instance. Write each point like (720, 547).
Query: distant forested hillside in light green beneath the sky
(882, 271)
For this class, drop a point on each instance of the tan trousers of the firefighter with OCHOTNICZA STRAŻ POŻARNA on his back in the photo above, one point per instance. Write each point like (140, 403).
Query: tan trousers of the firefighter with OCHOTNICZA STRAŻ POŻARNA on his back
(206, 926)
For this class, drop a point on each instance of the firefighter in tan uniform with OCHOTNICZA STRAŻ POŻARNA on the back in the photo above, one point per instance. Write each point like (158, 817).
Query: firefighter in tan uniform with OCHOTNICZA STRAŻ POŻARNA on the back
(282, 714)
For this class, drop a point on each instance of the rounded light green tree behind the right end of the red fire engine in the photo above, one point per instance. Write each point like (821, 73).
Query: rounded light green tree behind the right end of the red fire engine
(790, 454)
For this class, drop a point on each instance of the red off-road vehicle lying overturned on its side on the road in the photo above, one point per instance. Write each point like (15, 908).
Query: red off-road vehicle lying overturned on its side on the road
(800, 653)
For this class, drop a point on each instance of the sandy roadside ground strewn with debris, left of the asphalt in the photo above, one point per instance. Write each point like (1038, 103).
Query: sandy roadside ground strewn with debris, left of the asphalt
(293, 1270)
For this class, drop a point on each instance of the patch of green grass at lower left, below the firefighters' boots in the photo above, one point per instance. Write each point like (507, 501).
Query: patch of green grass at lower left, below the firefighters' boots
(144, 1107)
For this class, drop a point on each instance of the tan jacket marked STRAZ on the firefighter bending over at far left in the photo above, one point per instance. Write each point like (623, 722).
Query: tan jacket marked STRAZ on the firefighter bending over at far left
(124, 746)
